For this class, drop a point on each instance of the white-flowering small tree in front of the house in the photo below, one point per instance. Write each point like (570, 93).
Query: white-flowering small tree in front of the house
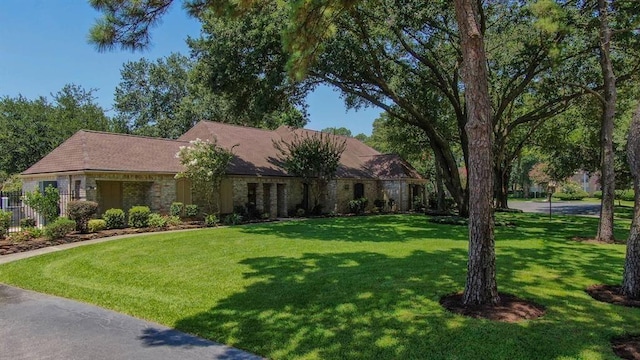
(205, 164)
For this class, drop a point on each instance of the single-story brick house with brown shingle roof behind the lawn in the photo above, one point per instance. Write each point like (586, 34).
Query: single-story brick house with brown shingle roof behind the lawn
(121, 171)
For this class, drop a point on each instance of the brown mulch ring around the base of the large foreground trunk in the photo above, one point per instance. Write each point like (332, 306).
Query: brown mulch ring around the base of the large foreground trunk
(510, 308)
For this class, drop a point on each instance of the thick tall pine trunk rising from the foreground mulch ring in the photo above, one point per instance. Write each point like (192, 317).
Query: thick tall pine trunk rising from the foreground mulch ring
(481, 287)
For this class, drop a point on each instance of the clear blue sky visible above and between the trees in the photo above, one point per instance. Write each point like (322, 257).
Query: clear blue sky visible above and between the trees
(43, 46)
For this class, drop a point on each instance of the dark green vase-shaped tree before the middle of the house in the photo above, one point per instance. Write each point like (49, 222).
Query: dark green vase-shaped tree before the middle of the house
(313, 157)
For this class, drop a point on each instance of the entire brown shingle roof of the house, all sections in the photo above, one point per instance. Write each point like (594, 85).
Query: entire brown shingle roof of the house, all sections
(253, 149)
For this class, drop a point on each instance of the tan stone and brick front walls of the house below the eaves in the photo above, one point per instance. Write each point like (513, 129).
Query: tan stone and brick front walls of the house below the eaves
(158, 191)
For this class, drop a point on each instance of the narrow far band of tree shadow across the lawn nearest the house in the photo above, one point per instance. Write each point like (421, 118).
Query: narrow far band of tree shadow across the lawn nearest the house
(401, 228)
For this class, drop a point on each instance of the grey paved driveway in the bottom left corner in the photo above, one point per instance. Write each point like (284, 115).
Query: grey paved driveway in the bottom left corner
(35, 326)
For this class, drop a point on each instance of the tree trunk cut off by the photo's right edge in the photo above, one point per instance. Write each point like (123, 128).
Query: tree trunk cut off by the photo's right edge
(631, 275)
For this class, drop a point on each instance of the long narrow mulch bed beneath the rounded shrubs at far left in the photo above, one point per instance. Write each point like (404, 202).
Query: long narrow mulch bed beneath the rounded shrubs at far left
(8, 247)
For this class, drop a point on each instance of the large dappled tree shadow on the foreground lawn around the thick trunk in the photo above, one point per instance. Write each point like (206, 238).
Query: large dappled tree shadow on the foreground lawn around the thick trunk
(366, 305)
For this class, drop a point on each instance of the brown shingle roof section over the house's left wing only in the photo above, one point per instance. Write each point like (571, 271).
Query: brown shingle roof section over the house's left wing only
(101, 151)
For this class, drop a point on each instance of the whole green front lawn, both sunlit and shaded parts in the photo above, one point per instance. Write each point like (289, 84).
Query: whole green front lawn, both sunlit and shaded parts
(350, 288)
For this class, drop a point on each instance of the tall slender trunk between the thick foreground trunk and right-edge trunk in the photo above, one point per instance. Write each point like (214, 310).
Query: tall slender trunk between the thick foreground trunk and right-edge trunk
(605, 226)
